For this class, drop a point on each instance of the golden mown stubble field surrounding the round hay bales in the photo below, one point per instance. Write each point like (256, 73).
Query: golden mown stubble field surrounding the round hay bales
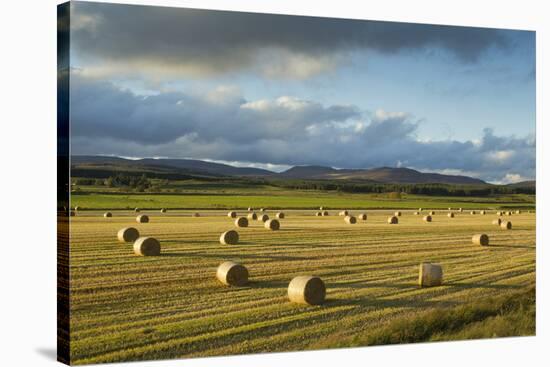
(125, 307)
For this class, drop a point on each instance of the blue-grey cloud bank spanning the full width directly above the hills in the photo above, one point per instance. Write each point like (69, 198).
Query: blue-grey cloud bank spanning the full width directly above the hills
(222, 125)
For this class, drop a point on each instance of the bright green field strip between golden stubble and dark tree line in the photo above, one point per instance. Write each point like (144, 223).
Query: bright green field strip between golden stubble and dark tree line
(286, 199)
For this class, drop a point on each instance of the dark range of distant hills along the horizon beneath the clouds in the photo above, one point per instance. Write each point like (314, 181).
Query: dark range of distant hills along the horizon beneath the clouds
(192, 167)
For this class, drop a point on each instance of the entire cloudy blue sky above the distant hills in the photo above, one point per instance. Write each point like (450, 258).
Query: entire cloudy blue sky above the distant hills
(275, 91)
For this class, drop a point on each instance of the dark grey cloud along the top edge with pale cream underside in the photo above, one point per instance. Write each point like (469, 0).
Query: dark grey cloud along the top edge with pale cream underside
(161, 40)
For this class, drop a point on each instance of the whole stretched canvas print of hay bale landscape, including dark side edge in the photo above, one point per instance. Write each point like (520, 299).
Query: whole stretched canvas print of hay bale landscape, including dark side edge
(233, 183)
